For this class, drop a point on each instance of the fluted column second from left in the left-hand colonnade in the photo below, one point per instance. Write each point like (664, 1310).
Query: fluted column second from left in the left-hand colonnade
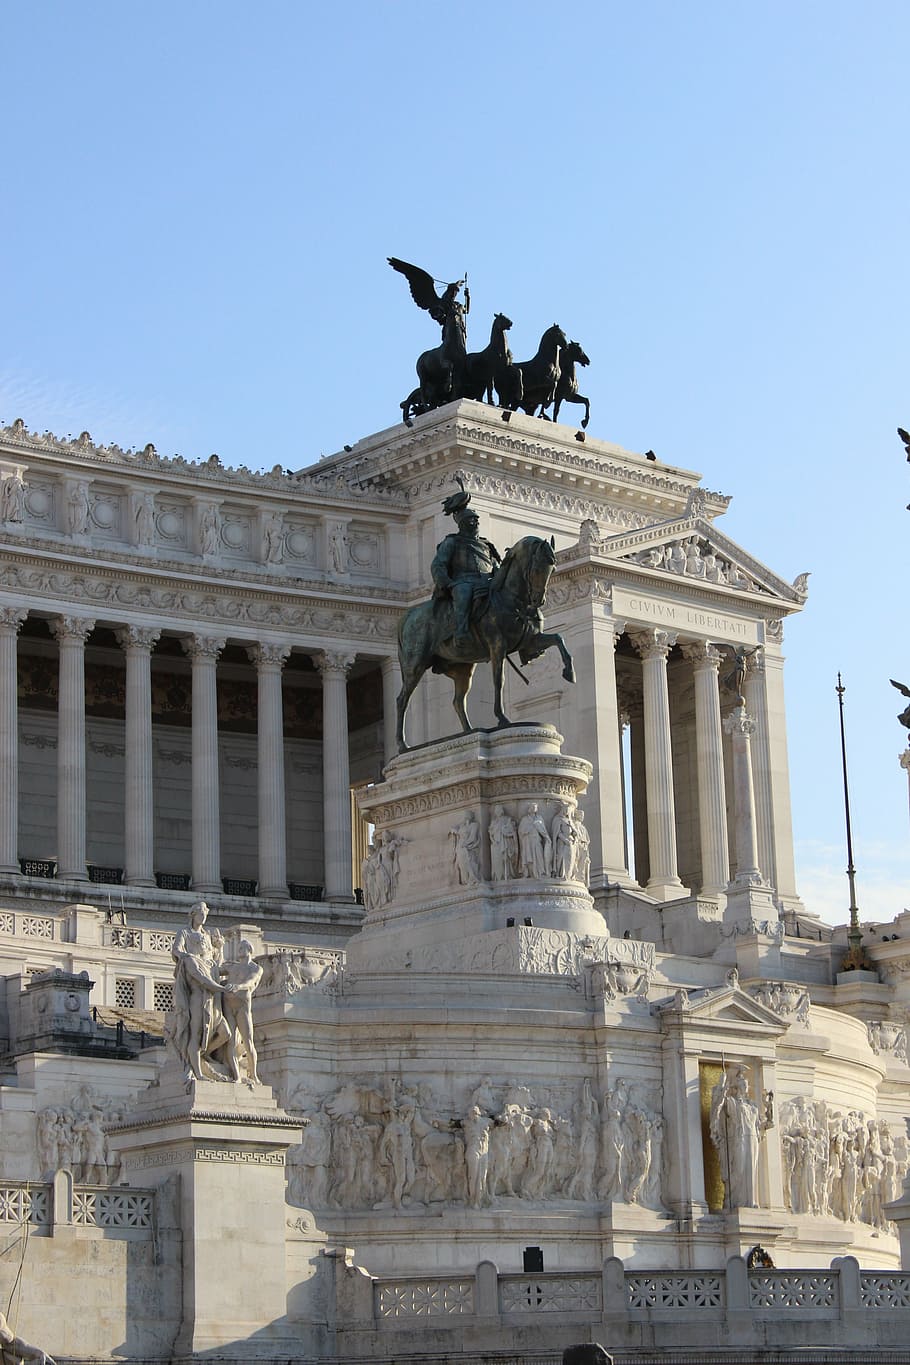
(72, 634)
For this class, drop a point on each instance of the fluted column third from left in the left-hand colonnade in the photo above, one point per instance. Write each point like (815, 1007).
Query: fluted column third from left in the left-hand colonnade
(137, 644)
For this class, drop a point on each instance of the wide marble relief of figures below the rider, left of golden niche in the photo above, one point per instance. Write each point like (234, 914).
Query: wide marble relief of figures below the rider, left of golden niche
(370, 1149)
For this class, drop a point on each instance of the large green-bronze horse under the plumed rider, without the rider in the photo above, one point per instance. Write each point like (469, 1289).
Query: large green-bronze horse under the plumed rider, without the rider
(504, 619)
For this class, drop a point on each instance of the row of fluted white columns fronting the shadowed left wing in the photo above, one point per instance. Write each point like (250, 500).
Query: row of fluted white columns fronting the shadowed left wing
(204, 653)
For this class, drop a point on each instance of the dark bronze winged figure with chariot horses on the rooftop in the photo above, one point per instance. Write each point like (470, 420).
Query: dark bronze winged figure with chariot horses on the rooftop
(451, 372)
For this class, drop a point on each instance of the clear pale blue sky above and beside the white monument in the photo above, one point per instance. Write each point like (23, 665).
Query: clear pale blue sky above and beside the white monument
(199, 201)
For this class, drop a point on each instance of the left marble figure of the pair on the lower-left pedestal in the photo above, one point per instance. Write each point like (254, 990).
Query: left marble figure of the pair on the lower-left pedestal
(199, 1027)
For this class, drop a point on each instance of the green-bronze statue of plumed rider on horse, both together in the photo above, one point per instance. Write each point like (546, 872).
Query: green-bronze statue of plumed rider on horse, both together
(484, 608)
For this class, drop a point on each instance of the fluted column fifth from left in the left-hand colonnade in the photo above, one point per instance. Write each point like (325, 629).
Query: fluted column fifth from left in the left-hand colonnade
(274, 857)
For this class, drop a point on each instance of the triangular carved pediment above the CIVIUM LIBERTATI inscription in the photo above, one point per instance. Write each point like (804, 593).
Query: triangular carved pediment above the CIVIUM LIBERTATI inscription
(694, 549)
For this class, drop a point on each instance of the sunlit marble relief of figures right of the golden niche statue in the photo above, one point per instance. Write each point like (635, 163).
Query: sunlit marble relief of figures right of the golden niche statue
(844, 1165)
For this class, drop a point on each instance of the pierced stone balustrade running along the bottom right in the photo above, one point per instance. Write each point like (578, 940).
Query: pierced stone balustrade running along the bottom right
(636, 1310)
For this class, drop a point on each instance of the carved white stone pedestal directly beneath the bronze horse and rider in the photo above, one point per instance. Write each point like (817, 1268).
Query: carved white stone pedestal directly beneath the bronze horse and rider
(440, 889)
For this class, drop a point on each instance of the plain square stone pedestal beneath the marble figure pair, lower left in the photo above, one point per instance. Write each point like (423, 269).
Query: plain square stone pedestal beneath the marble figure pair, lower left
(227, 1145)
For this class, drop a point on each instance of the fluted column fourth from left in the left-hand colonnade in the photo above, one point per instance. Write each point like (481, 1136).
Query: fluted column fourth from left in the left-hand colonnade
(204, 652)
